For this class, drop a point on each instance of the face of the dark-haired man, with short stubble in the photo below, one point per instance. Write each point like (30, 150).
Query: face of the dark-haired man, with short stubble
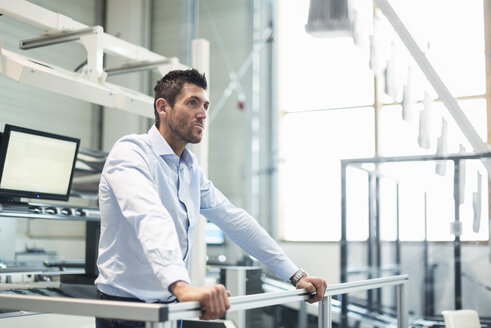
(186, 119)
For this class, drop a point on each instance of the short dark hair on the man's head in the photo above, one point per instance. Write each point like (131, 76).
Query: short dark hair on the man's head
(171, 85)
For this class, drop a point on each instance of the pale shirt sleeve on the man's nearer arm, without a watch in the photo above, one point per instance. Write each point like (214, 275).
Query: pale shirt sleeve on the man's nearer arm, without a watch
(127, 174)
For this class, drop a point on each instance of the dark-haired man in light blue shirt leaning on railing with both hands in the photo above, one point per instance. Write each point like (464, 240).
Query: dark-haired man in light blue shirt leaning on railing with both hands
(151, 194)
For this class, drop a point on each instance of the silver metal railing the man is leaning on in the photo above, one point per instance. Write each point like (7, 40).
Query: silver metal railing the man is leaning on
(165, 315)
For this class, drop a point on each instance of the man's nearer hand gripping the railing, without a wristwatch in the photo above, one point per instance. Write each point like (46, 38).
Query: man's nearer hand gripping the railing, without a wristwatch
(214, 298)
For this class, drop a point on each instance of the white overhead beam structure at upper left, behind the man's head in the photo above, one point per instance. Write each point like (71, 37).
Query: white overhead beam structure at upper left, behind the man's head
(89, 85)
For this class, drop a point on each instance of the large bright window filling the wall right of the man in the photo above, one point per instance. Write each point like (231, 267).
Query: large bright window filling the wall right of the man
(326, 102)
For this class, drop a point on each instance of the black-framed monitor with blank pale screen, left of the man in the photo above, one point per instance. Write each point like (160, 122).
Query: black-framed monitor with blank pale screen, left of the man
(35, 164)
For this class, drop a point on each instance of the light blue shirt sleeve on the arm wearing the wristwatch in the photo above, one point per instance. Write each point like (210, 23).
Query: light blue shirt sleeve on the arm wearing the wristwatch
(243, 229)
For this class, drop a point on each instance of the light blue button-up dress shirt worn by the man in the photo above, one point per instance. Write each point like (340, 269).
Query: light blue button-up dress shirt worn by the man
(150, 200)
